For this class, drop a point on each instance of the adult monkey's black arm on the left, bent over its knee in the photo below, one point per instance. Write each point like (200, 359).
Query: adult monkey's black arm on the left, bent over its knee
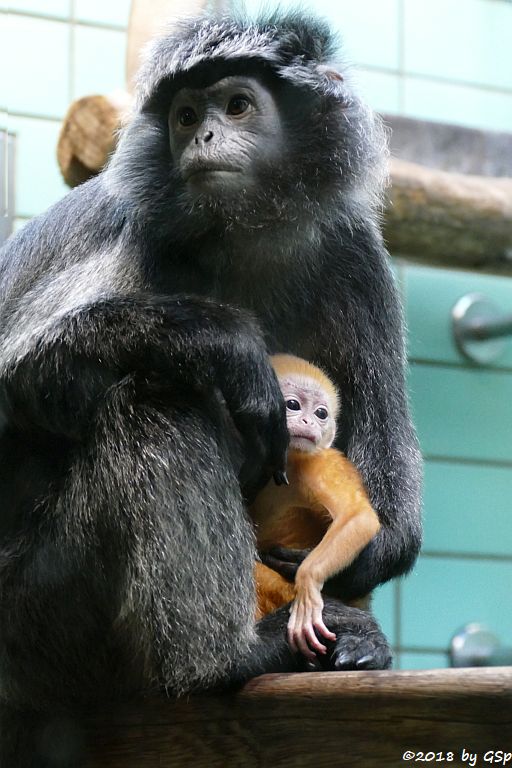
(162, 346)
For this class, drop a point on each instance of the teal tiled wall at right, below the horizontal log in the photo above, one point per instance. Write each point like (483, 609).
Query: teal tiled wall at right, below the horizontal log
(463, 415)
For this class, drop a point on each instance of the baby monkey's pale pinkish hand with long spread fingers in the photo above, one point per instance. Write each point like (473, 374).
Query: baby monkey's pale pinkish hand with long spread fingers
(306, 622)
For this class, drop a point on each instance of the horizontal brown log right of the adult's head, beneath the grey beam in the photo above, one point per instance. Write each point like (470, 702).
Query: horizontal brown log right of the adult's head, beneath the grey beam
(449, 218)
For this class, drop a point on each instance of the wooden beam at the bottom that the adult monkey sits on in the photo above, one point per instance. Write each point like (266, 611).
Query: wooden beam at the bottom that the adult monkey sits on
(349, 719)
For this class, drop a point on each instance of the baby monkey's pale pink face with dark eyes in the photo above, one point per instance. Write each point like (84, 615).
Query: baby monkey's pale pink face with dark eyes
(309, 414)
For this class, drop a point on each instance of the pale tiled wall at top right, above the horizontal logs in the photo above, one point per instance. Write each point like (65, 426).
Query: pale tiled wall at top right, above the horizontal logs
(447, 60)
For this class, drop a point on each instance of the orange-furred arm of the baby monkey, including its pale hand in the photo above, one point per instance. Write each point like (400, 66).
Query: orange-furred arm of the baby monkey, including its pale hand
(335, 488)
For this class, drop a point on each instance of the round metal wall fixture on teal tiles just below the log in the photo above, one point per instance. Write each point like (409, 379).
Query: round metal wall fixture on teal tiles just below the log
(479, 328)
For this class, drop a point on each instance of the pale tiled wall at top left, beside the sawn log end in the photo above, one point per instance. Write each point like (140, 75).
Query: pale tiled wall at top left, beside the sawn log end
(53, 51)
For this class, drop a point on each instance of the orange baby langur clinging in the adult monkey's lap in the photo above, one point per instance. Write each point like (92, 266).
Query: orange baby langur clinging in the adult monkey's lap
(324, 506)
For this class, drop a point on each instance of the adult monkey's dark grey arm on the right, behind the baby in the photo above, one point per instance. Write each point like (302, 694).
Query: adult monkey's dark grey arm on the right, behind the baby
(376, 432)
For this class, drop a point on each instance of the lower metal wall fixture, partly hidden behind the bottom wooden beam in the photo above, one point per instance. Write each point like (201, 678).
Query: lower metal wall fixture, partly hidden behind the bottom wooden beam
(476, 646)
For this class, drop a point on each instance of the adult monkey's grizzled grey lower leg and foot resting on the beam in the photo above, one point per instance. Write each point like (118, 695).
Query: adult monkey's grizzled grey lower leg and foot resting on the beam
(202, 589)
